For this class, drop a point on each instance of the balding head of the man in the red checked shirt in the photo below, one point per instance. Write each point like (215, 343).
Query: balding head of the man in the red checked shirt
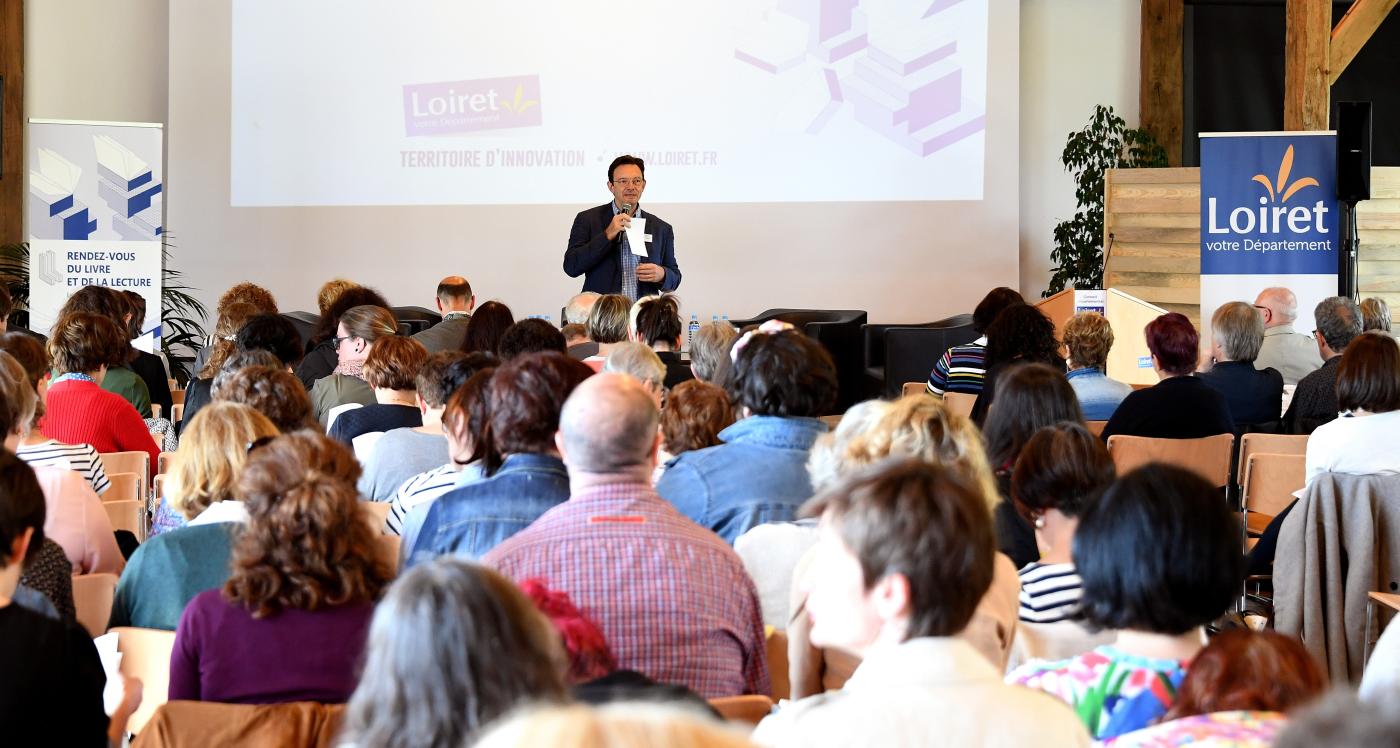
(610, 425)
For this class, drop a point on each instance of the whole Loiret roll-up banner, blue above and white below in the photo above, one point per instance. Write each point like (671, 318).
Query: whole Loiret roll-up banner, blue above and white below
(1269, 218)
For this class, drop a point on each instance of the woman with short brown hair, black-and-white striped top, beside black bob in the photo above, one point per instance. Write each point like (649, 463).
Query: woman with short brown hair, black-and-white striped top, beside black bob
(1060, 469)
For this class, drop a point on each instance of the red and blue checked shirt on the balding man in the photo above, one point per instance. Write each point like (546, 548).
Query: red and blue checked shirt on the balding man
(671, 597)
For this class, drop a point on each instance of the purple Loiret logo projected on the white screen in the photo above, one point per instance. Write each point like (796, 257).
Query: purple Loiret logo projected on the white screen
(471, 106)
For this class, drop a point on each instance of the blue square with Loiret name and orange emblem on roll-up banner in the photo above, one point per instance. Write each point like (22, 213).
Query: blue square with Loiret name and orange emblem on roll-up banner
(1269, 198)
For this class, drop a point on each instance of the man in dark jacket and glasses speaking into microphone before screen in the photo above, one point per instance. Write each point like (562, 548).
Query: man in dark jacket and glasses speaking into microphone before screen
(598, 243)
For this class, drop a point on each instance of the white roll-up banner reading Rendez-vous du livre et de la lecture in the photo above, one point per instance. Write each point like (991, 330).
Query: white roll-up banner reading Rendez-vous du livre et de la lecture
(94, 216)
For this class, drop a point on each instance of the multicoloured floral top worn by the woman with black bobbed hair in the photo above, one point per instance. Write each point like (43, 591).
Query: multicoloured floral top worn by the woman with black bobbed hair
(1112, 691)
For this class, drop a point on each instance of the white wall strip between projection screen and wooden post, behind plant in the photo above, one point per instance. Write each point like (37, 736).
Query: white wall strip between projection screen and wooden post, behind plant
(1074, 55)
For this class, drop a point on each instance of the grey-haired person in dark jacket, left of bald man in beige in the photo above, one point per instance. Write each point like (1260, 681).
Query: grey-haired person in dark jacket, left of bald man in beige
(1255, 397)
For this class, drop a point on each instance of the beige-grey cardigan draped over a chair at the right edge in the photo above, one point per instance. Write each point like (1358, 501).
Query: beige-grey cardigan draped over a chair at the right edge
(1338, 544)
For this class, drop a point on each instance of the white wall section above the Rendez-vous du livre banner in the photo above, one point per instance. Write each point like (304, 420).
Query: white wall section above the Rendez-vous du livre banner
(96, 60)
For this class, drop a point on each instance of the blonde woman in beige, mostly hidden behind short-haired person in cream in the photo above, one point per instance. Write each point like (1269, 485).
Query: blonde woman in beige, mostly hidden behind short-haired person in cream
(912, 428)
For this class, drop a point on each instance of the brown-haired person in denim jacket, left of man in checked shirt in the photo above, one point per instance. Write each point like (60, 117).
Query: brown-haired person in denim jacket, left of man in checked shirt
(526, 399)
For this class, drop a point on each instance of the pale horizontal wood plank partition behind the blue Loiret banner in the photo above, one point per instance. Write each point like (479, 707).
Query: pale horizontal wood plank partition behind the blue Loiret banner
(1156, 221)
